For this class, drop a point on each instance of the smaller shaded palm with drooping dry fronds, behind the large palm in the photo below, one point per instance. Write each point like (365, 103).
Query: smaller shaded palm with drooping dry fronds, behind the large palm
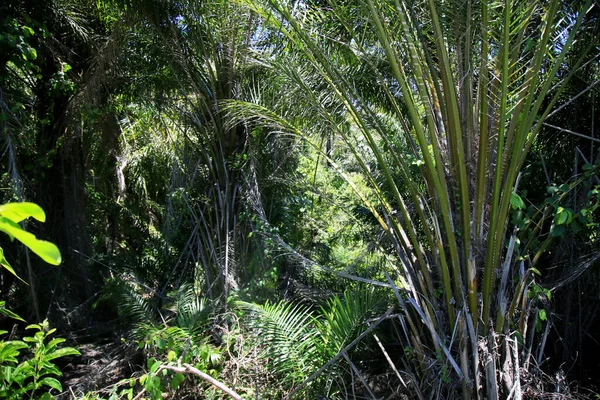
(205, 45)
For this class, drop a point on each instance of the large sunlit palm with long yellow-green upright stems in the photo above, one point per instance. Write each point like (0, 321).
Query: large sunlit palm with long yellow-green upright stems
(460, 90)
